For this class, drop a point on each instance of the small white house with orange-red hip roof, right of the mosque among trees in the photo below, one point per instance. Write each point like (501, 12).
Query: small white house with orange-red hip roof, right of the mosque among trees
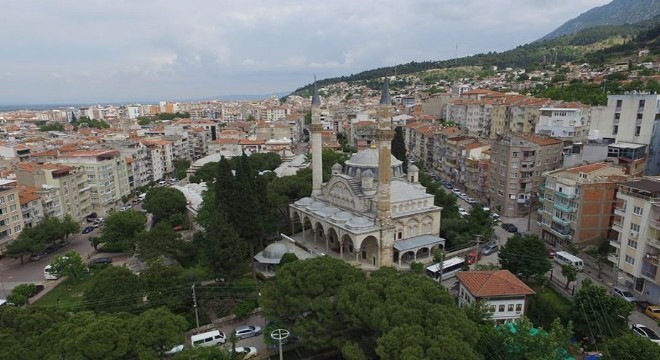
(505, 294)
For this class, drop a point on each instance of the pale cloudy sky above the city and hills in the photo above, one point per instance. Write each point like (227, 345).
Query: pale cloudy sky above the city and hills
(99, 51)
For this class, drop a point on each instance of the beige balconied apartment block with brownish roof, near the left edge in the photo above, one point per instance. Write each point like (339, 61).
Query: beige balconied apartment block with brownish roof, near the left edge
(63, 189)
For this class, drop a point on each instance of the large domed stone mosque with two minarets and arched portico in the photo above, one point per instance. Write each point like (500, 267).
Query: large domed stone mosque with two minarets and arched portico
(370, 211)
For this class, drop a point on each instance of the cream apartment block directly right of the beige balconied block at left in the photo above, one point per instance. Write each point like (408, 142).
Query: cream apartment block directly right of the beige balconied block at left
(106, 174)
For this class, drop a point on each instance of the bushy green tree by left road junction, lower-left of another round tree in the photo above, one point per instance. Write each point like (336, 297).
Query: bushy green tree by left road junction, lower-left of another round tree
(122, 227)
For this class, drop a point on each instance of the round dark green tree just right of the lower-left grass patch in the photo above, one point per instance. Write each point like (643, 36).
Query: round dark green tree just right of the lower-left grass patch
(113, 289)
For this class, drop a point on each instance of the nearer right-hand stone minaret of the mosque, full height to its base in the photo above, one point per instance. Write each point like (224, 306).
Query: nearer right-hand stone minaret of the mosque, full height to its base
(384, 135)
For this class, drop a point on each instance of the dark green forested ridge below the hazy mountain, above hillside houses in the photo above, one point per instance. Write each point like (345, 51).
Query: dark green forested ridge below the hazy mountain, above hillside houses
(591, 45)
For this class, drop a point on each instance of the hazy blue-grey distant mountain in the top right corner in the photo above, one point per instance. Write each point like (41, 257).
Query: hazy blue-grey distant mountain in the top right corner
(618, 12)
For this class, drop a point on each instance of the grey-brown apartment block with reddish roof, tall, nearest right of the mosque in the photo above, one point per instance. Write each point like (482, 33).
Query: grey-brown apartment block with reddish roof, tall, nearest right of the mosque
(517, 163)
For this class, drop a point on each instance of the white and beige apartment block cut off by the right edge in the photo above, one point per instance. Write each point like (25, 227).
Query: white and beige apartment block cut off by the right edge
(637, 246)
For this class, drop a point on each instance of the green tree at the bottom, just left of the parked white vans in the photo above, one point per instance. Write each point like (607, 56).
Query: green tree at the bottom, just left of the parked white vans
(157, 330)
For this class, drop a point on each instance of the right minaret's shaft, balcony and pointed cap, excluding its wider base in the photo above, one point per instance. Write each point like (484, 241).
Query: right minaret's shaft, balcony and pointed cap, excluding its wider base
(384, 135)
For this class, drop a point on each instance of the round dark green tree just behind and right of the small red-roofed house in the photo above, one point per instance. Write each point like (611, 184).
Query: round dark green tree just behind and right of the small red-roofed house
(526, 256)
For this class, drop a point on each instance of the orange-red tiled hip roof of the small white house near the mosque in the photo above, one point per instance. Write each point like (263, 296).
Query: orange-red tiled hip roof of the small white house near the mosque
(493, 283)
